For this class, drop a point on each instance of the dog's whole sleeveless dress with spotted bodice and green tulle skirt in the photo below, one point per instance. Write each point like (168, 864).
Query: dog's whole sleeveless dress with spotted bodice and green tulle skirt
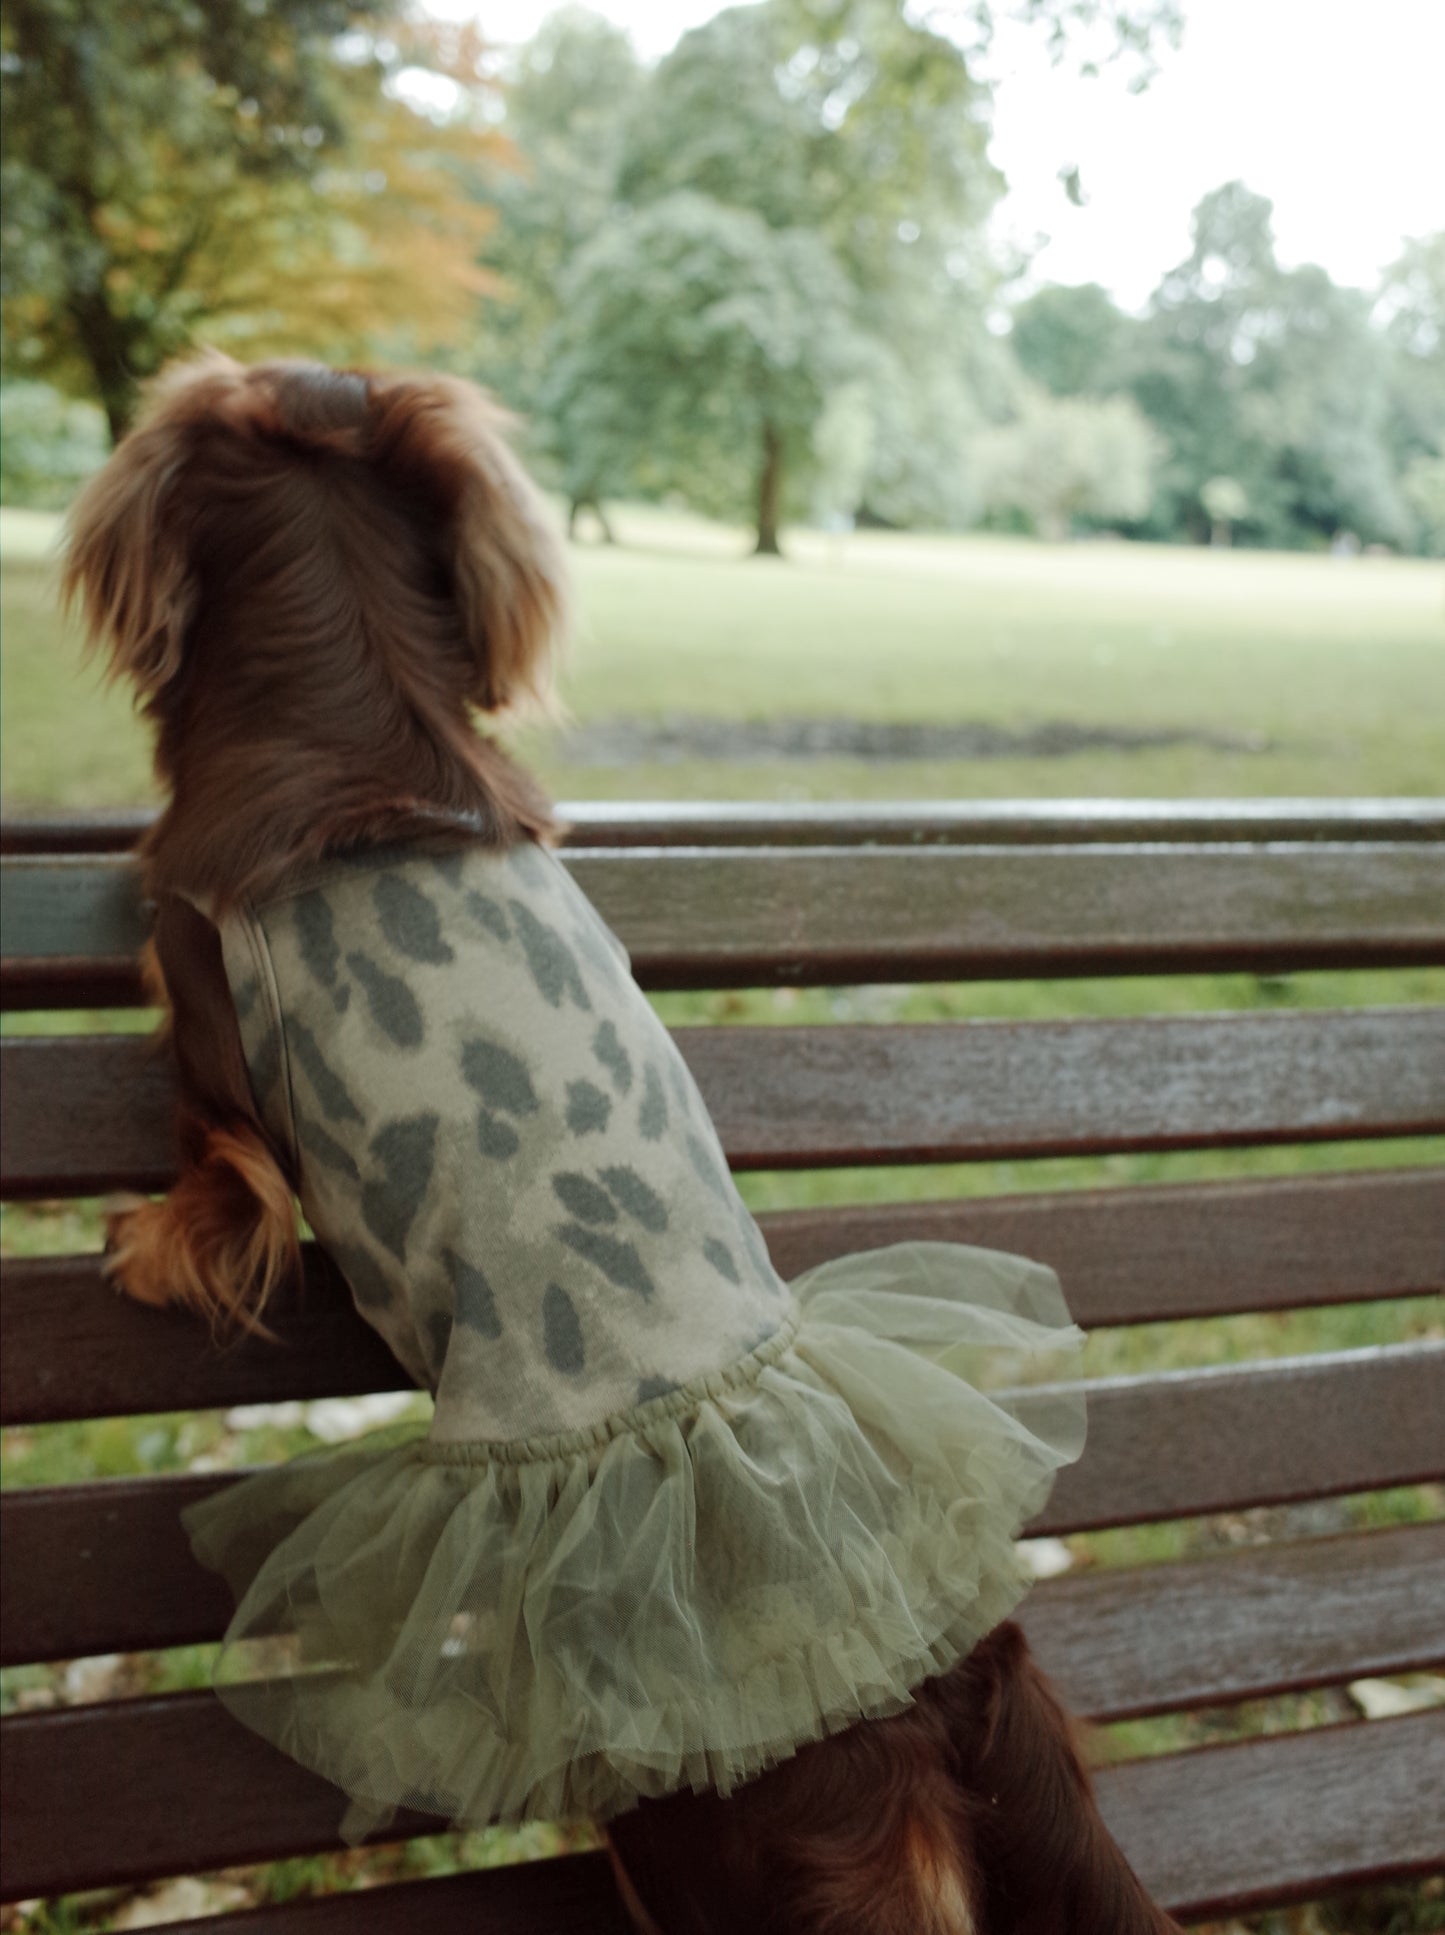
(670, 1516)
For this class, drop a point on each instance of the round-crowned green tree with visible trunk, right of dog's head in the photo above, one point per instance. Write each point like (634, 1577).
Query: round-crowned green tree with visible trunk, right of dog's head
(697, 349)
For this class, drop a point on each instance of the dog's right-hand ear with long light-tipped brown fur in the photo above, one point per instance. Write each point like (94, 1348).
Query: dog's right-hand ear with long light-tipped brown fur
(444, 442)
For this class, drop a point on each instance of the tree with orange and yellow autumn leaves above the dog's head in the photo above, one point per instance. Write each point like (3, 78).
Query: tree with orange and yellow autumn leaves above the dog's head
(252, 169)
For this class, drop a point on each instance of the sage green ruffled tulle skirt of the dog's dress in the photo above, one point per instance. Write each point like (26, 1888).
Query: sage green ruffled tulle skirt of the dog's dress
(680, 1597)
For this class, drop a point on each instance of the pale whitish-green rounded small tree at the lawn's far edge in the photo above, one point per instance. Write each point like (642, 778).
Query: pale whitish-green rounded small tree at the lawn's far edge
(1067, 460)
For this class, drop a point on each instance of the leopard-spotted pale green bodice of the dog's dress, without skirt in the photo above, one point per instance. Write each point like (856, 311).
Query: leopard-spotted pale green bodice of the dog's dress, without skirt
(496, 1139)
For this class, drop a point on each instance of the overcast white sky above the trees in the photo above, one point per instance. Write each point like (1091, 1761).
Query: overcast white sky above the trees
(1330, 107)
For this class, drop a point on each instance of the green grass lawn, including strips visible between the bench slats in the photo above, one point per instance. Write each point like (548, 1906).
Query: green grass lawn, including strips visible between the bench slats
(1324, 678)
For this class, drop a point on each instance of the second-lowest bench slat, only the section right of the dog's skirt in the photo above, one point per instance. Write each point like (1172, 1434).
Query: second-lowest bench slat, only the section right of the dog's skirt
(1243, 1626)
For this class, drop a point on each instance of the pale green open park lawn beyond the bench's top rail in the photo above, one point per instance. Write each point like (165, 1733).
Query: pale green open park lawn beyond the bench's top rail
(1328, 676)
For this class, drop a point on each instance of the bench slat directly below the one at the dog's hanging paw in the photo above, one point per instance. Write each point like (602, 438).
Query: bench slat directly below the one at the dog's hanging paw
(105, 1568)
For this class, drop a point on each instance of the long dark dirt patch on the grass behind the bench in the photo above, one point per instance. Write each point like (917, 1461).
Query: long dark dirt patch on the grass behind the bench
(682, 738)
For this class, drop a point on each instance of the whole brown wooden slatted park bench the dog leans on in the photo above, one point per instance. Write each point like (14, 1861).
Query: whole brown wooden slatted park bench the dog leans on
(129, 1791)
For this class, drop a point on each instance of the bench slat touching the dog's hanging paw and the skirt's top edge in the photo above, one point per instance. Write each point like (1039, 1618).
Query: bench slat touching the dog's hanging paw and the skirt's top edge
(73, 1350)
